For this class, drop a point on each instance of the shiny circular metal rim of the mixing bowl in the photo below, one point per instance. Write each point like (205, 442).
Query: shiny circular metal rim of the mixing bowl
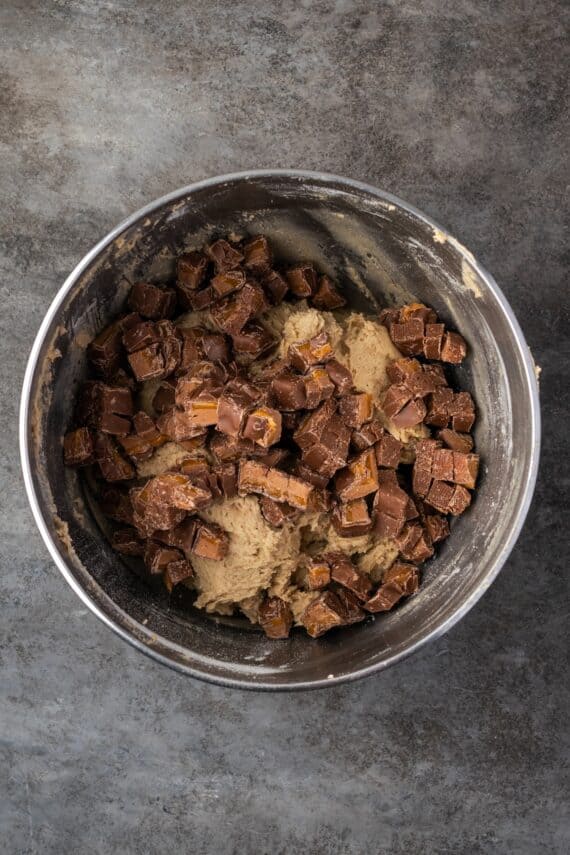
(530, 377)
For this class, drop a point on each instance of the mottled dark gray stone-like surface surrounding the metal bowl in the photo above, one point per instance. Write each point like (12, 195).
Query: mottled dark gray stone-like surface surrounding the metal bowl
(457, 106)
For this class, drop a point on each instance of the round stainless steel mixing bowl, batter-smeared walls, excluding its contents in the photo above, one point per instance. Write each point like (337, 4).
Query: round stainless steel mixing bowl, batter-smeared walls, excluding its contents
(382, 249)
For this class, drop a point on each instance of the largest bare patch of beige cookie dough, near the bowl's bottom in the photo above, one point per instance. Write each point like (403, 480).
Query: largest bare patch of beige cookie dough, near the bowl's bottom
(256, 553)
